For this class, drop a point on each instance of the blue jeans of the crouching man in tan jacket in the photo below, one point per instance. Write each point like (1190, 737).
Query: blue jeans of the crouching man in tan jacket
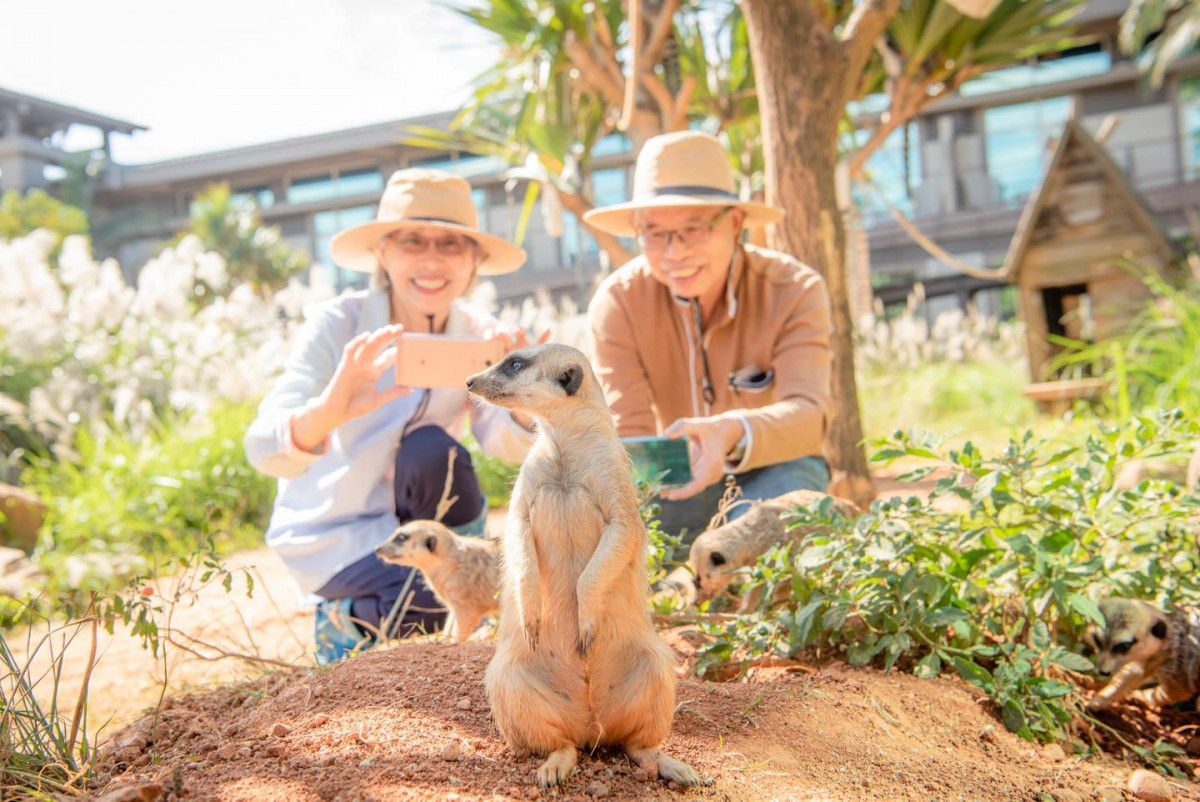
(769, 482)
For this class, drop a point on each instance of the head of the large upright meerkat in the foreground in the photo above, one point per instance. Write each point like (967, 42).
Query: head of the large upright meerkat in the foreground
(545, 381)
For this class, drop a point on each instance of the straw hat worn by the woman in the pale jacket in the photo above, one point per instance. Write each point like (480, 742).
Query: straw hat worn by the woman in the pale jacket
(424, 197)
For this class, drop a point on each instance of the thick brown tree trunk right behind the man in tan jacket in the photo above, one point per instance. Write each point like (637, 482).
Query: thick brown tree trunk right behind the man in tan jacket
(802, 73)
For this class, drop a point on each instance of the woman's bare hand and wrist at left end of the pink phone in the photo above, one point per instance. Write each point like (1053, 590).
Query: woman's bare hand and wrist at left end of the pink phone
(353, 391)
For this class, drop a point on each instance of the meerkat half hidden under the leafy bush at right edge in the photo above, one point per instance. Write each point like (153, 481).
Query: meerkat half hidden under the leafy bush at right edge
(1141, 643)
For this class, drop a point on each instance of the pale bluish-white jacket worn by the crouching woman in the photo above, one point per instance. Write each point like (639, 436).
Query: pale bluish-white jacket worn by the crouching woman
(334, 508)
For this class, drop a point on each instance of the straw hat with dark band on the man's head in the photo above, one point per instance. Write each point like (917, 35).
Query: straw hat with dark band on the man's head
(687, 169)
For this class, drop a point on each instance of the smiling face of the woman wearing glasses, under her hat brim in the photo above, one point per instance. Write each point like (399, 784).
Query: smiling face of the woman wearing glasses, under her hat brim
(429, 268)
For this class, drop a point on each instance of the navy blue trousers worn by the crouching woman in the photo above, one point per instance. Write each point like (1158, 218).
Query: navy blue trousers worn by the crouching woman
(421, 478)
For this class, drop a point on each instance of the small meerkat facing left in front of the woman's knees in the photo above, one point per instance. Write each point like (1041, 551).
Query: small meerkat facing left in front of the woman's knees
(463, 572)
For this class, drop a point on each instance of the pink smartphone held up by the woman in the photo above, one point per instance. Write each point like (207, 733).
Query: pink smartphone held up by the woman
(443, 361)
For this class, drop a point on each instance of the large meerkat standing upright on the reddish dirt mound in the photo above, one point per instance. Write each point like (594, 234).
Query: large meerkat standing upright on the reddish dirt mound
(578, 661)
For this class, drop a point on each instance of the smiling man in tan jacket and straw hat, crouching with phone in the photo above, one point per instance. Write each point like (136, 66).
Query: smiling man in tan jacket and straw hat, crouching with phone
(706, 338)
